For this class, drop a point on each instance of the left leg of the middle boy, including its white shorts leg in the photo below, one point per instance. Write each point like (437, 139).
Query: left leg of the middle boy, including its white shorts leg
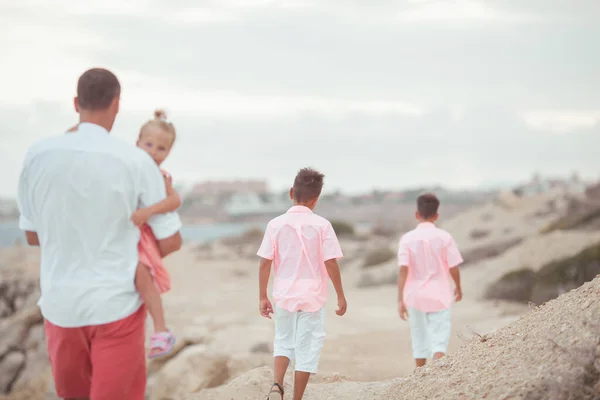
(283, 345)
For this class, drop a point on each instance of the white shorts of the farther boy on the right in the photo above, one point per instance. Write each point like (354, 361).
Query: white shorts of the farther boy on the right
(430, 332)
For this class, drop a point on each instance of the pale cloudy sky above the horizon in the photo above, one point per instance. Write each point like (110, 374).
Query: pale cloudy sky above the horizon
(375, 94)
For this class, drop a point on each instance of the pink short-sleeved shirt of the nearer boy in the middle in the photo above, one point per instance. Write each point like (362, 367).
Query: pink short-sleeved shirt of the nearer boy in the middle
(299, 242)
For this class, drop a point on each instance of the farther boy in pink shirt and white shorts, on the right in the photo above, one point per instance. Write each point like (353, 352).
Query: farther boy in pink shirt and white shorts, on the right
(428, 257)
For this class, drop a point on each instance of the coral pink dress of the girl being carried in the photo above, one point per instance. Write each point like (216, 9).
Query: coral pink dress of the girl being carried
(149, 255)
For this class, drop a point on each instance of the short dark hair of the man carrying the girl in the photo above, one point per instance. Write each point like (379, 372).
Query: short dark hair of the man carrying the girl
(97, 88)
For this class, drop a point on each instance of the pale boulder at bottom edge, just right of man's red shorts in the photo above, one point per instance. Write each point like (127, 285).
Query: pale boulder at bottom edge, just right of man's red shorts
(191, 371)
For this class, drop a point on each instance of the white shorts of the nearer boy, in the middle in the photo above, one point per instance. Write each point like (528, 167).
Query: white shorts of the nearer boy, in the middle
(299, 336)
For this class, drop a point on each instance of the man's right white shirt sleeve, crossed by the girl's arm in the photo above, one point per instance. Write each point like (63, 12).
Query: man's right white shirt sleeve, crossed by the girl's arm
(152, 191)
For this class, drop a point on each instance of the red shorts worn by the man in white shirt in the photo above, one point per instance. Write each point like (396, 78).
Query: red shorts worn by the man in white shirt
(100, 362)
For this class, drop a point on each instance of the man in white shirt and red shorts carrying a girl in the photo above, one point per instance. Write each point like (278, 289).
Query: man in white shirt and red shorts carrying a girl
(76, 195)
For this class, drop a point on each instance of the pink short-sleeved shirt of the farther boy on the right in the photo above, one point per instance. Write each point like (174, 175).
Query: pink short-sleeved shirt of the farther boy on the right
(429, 253)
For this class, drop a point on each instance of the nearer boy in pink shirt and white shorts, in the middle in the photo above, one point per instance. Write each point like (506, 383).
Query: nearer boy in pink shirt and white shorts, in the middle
(304, 250)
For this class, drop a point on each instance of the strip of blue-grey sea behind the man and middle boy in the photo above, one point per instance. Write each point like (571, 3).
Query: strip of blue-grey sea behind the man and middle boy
(195, 233)
